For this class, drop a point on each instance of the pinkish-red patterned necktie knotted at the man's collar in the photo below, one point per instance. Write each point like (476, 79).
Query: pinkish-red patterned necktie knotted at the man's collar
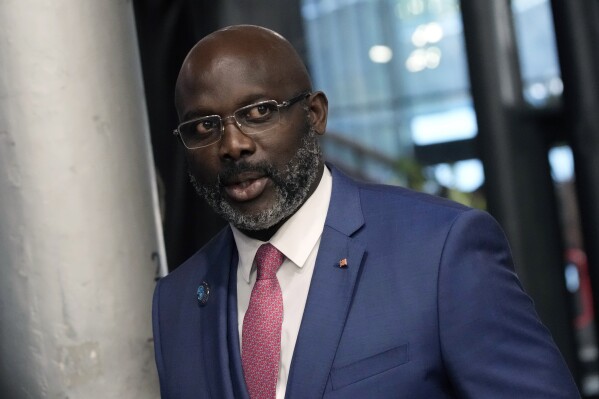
(261, 333)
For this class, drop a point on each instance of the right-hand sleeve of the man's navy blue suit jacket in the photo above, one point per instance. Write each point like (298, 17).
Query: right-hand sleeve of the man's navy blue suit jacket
(493, 343)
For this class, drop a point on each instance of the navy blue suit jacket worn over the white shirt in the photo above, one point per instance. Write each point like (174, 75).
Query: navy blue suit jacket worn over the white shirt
(429, 306)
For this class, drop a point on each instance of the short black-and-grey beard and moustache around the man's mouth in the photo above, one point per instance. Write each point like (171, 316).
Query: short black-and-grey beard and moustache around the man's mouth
(292, 186)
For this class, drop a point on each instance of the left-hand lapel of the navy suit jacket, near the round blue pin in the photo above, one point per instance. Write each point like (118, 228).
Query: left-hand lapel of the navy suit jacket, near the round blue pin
(214, 320)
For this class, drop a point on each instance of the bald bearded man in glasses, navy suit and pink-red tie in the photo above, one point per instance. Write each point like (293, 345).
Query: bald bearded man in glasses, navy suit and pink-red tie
(382, 292)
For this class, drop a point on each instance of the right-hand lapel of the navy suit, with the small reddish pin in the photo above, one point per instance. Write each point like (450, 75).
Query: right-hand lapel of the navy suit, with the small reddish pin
(330, 294)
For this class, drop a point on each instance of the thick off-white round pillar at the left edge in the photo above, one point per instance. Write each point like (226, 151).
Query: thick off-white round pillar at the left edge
(80, 239)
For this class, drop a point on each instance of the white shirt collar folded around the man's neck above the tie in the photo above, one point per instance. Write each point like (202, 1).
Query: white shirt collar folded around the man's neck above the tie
(297, 236)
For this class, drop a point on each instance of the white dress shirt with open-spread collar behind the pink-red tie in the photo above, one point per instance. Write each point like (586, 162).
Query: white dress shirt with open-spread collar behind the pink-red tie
(298, 239)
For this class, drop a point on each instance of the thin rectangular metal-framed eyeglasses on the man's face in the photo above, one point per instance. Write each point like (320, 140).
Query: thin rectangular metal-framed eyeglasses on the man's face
(251, 119)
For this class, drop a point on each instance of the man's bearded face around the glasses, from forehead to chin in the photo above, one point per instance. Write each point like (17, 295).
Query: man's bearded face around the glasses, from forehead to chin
(254, 181)
